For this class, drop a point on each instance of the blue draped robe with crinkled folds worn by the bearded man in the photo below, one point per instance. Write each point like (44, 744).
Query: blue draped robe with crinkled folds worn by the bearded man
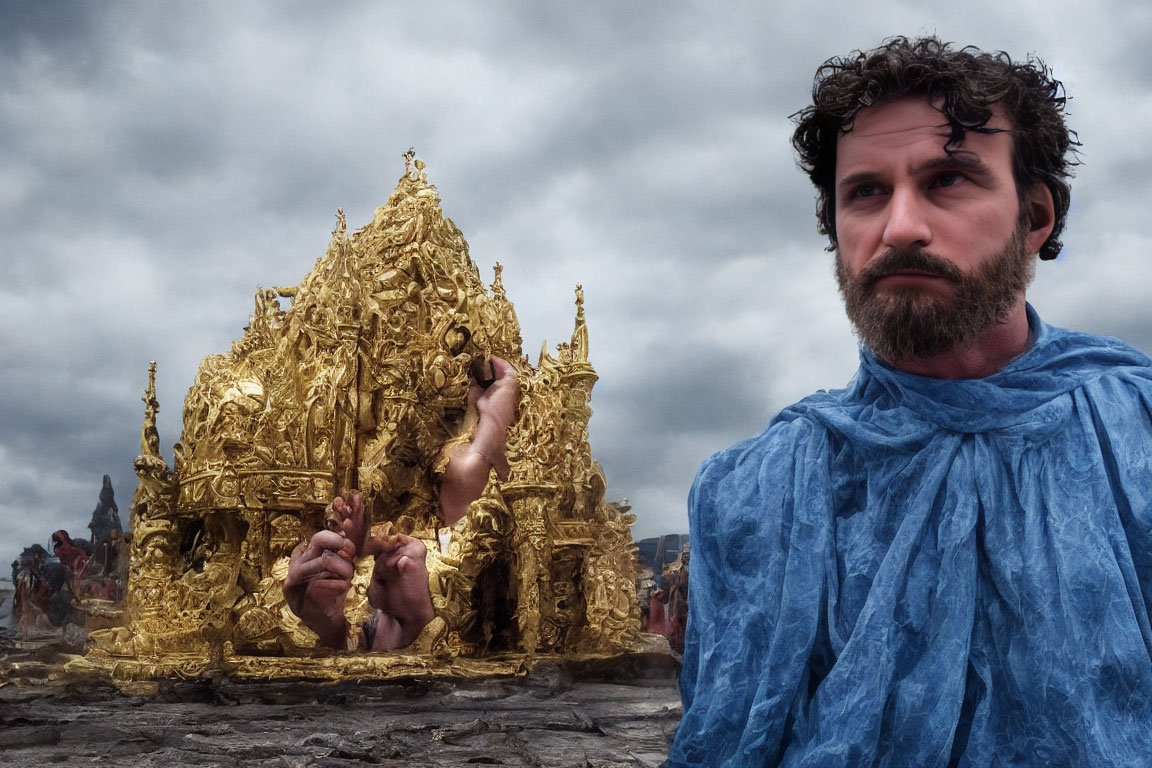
(915, 572)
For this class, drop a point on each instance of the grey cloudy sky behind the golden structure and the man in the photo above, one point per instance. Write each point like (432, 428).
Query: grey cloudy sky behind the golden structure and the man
(161, 161)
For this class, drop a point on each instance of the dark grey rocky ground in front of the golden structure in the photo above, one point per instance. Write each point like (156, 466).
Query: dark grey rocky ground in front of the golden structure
(609, 713)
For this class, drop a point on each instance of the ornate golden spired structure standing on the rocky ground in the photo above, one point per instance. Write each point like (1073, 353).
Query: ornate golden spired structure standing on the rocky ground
(363, 384)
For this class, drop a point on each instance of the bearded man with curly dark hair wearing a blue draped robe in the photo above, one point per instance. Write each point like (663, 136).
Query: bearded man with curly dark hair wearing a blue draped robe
(950, 562)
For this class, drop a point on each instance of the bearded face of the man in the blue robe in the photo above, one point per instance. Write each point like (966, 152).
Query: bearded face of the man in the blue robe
(933, 249)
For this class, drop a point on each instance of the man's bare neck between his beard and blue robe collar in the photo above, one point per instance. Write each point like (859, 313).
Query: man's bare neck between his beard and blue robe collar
(982, 356)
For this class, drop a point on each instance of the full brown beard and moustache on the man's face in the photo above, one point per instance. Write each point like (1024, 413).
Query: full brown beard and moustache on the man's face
(908, 323)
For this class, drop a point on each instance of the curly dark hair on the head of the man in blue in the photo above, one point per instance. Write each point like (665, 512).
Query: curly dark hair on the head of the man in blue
(967, 83)
